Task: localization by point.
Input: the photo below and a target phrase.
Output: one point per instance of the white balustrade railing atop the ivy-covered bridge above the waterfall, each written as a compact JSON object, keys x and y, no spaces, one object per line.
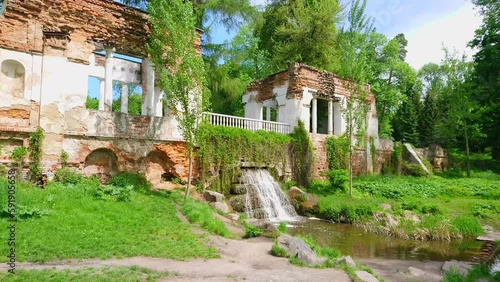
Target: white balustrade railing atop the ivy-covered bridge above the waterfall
{"x":246,"y":123}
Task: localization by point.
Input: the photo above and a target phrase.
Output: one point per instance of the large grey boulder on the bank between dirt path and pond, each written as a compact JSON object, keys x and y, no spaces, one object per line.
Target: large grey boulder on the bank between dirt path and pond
{"x":296,"y":247}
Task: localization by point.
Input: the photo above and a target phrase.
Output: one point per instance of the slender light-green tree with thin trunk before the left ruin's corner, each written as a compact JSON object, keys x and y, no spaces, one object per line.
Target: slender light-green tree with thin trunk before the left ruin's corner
{"x":178,"y":66}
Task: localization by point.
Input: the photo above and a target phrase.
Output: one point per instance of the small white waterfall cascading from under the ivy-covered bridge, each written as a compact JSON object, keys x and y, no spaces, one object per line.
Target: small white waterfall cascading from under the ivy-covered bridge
{"x":264,"y":198}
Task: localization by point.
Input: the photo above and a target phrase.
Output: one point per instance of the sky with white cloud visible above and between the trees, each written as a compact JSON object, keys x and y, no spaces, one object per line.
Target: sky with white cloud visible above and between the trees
{"x":427,"y":24}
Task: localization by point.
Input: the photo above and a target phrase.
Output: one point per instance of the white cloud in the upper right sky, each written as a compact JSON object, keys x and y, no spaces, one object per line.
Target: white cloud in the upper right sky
{"x":453,"y":30}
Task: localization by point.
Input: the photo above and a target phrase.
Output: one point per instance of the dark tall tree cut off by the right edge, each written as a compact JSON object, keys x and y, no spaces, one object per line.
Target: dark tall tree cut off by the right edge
{"x":486,"y":74}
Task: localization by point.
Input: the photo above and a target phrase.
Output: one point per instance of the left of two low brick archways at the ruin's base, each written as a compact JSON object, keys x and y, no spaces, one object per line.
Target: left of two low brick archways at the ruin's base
{"x":102,"y":163}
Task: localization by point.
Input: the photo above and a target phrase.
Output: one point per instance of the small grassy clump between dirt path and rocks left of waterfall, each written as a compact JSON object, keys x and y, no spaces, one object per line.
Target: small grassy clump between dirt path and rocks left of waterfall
{"x":202,"y":214}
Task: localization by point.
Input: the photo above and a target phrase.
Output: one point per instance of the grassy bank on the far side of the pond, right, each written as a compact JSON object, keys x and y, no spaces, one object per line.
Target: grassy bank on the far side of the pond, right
{"x":423,"y":208}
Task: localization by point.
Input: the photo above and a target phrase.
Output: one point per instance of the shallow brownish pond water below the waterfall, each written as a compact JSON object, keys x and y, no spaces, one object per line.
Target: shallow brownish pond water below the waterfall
{"x":357,"y":243}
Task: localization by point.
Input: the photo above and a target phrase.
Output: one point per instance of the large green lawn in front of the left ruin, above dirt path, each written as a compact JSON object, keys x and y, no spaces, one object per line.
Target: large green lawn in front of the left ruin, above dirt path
{"x":79,"y":226}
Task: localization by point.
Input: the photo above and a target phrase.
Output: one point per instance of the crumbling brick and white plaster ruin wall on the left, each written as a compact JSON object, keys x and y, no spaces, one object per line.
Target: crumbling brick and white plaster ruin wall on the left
{"x":46,"y":56}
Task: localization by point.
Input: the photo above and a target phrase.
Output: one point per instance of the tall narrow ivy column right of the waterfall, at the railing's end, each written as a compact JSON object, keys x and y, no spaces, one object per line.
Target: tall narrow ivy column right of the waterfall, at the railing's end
{"x":302,"y":151}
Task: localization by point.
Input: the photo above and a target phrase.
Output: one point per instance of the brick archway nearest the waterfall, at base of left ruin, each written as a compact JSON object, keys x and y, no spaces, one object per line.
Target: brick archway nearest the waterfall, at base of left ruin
{"x":157,"y":167}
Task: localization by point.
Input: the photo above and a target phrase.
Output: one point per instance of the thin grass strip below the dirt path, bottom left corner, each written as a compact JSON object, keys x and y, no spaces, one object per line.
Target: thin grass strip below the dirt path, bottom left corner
{"x":85,"y":274}
